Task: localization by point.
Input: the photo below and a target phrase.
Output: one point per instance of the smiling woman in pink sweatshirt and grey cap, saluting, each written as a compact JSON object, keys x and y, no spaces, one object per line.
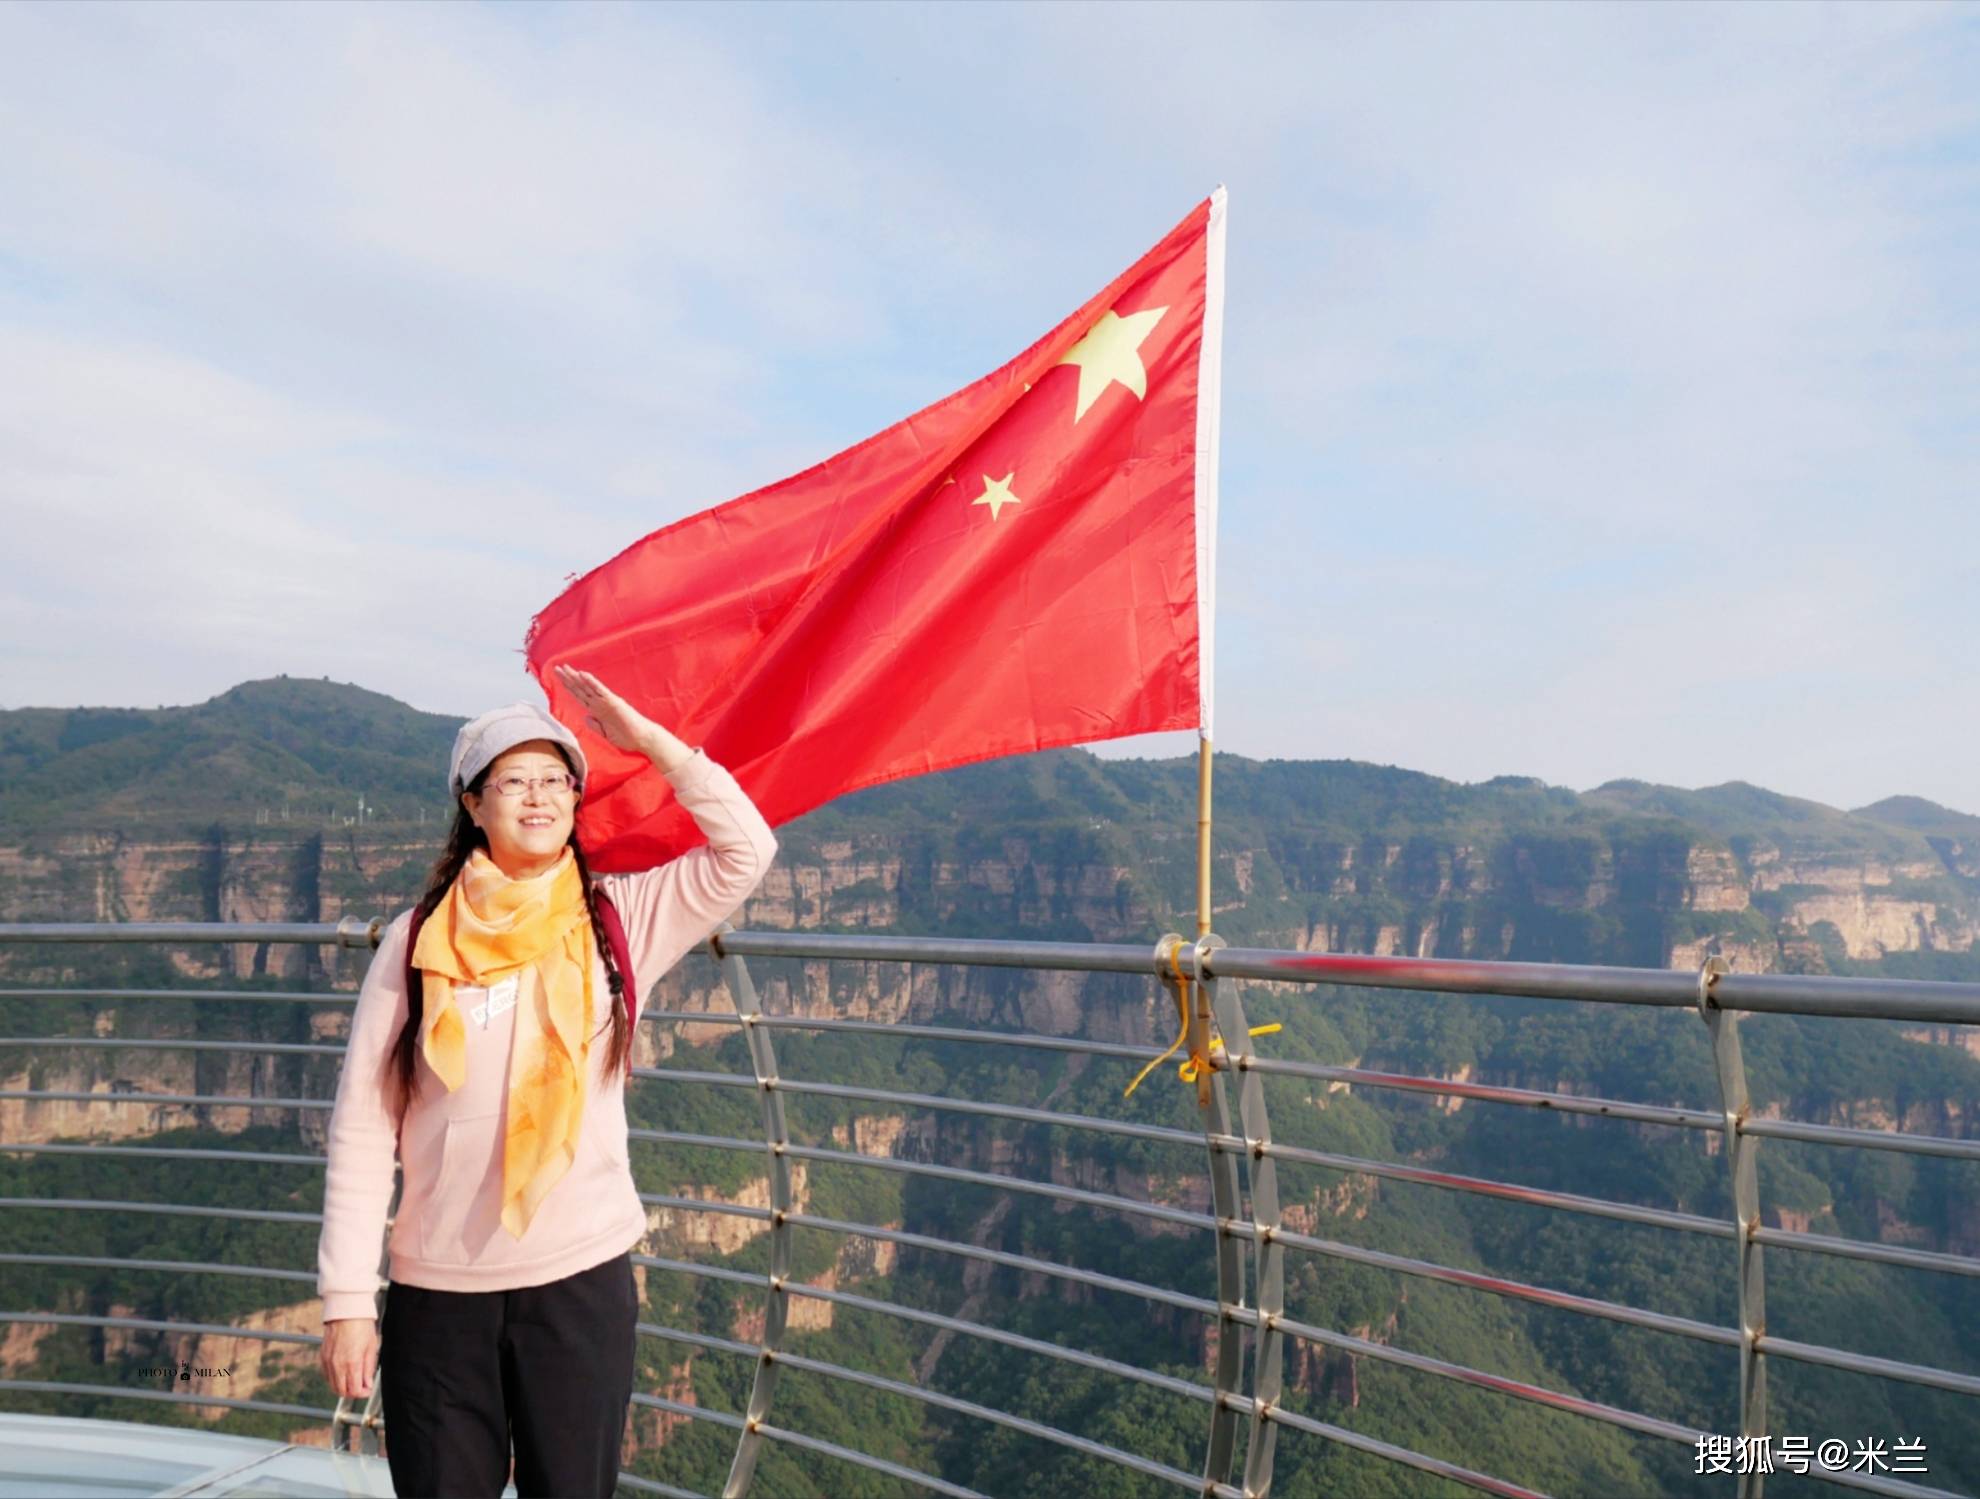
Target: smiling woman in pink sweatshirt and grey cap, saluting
{"x":510,"y":1308}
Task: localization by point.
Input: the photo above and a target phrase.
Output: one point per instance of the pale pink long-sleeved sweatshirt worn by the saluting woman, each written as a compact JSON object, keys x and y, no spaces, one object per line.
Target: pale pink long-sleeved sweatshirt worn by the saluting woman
{"x":448,"y":1231}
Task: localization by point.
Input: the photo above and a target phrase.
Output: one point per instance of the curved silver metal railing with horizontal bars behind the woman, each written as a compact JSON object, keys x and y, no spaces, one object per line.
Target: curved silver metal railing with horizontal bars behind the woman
{"x":1248,"y":1239}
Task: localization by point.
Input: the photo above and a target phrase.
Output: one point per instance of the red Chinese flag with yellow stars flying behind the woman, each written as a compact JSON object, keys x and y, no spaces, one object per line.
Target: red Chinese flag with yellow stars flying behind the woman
{"x":1023,"y":565}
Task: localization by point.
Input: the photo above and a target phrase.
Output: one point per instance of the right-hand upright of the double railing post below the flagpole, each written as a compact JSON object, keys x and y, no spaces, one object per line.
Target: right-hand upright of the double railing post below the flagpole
{"x":1268,"y":1264}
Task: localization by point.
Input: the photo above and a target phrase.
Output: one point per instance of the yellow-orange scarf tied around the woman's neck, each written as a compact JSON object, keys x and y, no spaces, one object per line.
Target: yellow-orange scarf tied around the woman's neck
{"x":540,"y":930}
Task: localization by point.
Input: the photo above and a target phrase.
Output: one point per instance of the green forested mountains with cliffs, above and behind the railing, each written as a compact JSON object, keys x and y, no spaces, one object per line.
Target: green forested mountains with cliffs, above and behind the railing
{"x":1324,"y":854}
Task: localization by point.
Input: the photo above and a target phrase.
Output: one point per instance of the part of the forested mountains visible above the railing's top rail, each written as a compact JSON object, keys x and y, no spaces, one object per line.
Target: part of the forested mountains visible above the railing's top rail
{"x":318,"y":801}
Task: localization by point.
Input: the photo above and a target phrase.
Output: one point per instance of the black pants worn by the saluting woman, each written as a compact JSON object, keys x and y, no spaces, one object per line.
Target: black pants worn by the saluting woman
{"x":549,"y":1365}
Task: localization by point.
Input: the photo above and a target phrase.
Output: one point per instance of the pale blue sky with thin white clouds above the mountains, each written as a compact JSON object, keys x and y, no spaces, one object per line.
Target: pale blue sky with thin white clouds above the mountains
{"x":1603,"y":385}
